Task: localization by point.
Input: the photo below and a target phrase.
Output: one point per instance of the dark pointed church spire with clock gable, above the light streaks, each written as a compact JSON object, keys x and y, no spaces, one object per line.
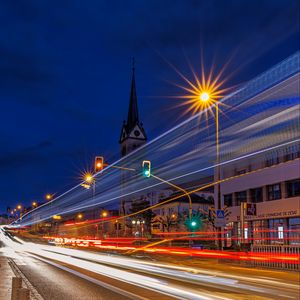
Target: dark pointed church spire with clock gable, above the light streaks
{"x":132,"y":134}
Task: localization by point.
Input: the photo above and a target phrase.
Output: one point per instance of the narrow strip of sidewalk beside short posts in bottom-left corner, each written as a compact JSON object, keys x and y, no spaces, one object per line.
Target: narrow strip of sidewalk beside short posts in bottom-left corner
{"x":6,"y":275}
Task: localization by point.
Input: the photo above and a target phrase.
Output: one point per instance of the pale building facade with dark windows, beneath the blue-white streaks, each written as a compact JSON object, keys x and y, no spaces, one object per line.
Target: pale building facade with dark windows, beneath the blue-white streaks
{"x":272,"y":184}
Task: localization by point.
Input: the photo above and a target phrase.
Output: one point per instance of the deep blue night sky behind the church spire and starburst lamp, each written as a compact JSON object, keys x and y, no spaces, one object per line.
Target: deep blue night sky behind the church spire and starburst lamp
{"x":65,"y":69}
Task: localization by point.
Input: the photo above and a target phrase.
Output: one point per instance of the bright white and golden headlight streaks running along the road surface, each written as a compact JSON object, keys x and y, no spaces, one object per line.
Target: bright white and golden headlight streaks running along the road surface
{"x":190,"y":282}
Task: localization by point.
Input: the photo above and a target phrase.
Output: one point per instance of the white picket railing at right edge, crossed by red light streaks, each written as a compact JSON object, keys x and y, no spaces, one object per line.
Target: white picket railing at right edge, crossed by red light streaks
{"x":271,"y":250}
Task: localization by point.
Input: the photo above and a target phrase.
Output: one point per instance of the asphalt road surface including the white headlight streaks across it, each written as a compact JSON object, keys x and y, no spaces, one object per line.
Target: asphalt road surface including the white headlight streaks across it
{"x":61,"y":273}
